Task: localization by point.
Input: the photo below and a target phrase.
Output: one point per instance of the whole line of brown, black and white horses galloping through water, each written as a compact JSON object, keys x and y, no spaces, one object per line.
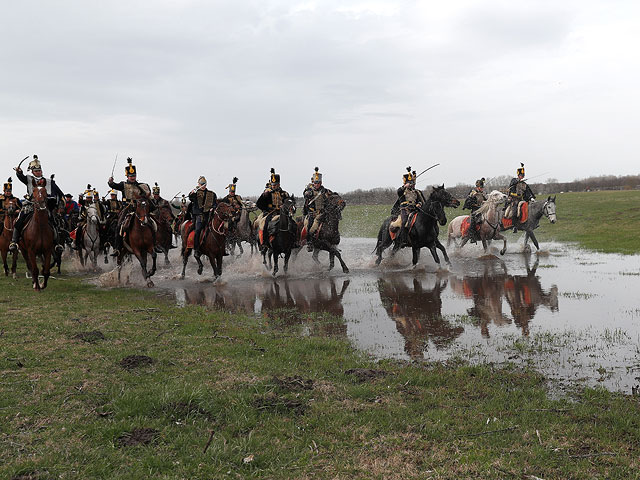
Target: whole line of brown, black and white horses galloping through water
{"x":148,"y":234}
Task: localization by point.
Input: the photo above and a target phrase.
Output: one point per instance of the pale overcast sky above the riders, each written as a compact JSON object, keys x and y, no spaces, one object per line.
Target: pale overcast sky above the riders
{"x":361,"y":89}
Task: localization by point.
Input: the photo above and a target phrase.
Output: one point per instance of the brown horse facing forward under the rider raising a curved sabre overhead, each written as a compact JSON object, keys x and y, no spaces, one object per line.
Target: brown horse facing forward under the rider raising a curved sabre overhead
{"x":38,"y":239}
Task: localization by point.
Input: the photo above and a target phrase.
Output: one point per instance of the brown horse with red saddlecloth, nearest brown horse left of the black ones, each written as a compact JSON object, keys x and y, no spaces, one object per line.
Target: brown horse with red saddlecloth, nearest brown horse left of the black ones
{"x":212,"y":240}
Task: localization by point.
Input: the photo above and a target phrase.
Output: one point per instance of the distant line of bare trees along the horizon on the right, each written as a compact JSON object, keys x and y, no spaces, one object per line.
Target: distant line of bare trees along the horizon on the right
{"x":387,"y":196}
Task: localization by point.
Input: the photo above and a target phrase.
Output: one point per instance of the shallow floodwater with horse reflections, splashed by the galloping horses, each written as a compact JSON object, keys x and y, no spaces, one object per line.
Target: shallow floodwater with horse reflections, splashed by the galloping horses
{"x":572,"y":314}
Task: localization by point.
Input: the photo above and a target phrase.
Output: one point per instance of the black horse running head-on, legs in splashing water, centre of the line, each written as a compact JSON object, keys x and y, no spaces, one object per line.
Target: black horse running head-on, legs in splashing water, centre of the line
{"x":281,"y":236}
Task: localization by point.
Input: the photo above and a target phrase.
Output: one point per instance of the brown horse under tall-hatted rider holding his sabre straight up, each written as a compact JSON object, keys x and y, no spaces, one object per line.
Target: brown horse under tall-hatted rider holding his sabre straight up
{"x":140,"y":239}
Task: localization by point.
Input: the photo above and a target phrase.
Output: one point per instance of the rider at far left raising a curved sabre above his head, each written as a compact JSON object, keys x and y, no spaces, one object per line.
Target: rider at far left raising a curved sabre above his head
{"x":54,"y":195}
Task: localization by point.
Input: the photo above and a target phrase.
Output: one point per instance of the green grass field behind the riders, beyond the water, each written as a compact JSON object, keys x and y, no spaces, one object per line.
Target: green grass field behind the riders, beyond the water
{"x":604,"y":221}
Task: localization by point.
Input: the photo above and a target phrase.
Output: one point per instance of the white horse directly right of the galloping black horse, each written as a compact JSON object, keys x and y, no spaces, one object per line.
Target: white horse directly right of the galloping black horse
{"x":491,"y":213}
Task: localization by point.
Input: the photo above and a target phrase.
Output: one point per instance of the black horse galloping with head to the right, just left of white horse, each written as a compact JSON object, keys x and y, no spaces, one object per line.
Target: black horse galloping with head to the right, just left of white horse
{"x":424,"y":230}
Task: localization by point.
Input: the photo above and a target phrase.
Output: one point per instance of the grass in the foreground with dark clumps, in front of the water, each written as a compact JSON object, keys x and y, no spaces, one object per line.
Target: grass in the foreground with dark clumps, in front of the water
{"x":123,"y":384}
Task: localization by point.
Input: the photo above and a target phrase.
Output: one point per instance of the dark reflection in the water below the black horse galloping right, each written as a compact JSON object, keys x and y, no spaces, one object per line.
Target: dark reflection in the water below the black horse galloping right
{"x":417,"y":313}
